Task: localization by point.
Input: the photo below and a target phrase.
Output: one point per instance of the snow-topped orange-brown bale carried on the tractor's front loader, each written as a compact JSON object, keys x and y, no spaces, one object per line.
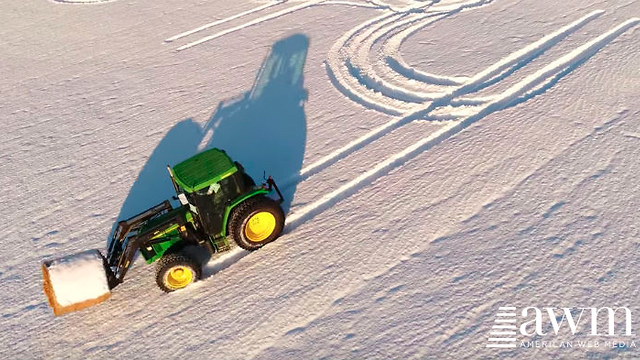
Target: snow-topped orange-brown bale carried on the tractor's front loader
{"x":75,"y":282}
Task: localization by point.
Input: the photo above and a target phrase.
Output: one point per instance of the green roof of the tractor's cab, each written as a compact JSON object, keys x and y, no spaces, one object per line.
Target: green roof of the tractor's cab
{"x":203,"y":170}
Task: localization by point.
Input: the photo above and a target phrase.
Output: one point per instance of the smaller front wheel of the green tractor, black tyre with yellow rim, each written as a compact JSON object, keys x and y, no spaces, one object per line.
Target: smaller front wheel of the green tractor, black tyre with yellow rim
{"x":174,"y":261}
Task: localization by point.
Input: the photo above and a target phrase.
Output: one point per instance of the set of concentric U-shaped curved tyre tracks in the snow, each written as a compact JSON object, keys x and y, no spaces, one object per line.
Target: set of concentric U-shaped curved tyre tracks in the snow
{"x":350,"y":67}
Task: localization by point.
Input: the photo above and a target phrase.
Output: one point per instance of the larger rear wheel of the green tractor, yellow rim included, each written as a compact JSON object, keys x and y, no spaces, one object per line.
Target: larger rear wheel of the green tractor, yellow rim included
{"x":256,"y":222}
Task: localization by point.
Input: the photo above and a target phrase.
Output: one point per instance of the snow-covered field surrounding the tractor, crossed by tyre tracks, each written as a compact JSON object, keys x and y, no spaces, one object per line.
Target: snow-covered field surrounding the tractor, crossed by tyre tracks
{"x":442,"y":161}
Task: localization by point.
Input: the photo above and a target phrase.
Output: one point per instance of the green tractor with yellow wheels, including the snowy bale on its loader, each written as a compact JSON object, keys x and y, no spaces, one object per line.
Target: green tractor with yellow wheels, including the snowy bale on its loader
{"x":219,"y":202}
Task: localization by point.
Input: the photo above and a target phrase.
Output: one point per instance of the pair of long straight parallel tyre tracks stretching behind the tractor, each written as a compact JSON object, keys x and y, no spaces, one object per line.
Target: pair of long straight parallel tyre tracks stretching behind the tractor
{"x":523,"y":90}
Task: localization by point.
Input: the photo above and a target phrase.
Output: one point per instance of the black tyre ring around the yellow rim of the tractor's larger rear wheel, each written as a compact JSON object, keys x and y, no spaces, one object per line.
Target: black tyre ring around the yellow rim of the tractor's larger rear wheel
{"x":243,"y":212}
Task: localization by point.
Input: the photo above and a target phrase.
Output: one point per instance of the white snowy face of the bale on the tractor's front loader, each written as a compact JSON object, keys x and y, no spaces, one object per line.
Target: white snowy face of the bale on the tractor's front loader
{"x":78,"y":277}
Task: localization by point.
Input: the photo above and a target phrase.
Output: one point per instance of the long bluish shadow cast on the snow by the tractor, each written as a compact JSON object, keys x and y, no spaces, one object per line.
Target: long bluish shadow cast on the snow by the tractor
{"x":264,"y":129}
